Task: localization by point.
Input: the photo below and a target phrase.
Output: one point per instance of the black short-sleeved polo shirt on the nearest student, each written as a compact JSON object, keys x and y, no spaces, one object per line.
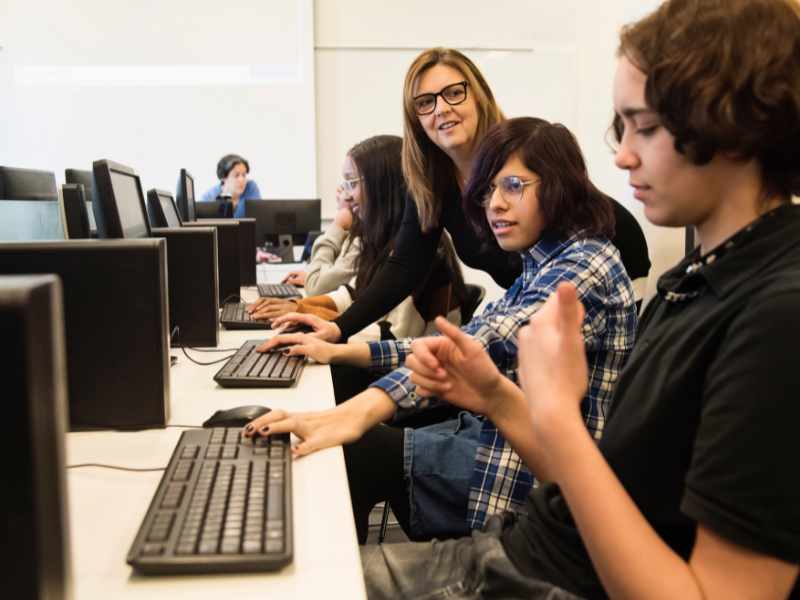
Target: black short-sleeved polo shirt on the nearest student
{"x":704,"y":424}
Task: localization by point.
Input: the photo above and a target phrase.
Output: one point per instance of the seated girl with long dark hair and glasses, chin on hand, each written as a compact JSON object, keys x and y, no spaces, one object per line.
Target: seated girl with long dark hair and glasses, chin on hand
{"x":377,"y":194}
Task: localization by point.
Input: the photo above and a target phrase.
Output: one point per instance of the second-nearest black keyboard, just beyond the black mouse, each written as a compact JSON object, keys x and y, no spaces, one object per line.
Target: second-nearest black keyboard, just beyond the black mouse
{"x":248,"y":368}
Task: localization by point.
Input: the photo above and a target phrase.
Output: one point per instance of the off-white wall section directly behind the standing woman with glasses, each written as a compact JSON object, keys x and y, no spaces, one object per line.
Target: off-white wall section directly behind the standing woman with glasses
{"x":549,"y":59}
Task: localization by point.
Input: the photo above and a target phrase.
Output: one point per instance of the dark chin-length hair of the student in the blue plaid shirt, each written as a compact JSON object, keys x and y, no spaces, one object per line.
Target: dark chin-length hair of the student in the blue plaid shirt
{"x":568,"y":201}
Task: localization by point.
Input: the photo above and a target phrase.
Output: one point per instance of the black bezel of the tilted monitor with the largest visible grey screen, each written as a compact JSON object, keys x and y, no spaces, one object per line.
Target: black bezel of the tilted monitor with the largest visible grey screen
{"x":106,"y":210}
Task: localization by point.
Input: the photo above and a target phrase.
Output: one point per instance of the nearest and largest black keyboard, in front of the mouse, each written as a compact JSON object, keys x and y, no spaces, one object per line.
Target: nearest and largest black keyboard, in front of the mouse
{"x":224,"y":505}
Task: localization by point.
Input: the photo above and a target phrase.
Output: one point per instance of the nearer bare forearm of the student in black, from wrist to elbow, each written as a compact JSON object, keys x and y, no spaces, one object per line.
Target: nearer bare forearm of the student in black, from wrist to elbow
{"x":627,"y":553}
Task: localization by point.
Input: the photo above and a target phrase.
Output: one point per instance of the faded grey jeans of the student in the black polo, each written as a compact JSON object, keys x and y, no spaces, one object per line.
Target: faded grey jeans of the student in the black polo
{"x":468,"y":568}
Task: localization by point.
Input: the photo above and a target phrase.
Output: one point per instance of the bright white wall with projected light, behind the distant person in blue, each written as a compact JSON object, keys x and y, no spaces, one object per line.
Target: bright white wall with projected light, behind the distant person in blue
{"x":160,"y":85}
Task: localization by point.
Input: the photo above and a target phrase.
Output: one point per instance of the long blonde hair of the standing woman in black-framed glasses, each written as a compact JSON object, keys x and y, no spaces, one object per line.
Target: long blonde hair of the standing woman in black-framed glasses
{"x":428,"y":171}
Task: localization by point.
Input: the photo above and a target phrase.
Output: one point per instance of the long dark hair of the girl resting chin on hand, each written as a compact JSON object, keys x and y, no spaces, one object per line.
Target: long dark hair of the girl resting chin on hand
{"x":383,"y":201}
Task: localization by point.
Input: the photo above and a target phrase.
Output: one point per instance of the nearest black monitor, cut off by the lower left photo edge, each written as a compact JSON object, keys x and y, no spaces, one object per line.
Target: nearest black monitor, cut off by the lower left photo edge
{"x":34,"y":499}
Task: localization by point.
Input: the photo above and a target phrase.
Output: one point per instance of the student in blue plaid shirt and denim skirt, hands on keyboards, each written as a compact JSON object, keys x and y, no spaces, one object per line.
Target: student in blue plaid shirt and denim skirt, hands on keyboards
{"x":531,"y":190}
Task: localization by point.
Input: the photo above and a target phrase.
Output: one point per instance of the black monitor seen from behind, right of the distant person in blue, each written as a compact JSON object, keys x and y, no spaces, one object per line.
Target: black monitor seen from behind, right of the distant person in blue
{"x":284,"y":217}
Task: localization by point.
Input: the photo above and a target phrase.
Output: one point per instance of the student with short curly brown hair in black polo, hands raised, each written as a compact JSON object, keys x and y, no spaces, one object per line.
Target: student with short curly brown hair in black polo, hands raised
{"x":693,"y":492}
